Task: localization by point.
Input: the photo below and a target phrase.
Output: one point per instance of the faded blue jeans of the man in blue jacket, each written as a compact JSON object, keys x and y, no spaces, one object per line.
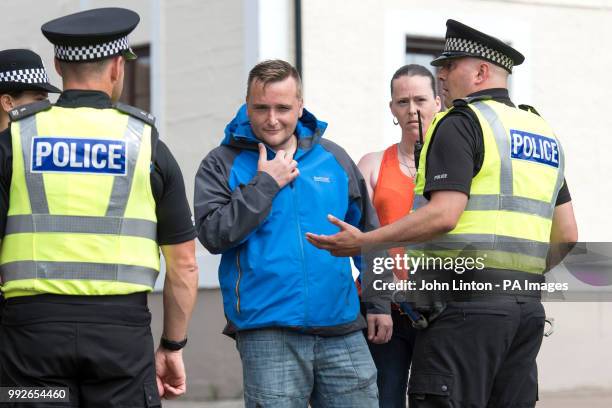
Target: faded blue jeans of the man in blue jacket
{"x":284,"y":368}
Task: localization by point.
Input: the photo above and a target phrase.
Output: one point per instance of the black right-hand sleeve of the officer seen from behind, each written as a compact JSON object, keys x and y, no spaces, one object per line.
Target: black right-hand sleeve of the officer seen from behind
{"x":174,"y":221}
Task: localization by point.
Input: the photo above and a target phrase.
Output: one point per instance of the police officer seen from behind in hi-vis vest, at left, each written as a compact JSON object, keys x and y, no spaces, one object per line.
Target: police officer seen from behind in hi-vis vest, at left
{"x":92,"y":196}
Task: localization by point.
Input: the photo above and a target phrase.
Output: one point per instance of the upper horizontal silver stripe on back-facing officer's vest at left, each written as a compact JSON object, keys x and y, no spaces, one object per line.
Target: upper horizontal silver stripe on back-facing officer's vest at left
{"x":80,"y":224}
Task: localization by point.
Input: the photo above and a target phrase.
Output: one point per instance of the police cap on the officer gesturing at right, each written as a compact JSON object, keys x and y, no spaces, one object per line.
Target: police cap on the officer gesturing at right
{"x":464,"y":41}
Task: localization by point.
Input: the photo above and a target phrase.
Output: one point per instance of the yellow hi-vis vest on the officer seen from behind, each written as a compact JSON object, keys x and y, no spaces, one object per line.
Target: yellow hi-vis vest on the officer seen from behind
{"x":81,"y":217}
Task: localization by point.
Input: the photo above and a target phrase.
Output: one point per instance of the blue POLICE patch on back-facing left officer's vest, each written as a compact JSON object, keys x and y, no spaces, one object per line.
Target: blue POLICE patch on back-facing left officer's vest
{"x":72,"y":155}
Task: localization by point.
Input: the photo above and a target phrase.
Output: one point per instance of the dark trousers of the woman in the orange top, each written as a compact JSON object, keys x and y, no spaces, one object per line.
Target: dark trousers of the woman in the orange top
{"x":392,"y":361}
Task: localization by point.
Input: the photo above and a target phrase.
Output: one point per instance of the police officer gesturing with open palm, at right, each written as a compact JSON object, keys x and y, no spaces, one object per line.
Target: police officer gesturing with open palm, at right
{"x":489,"y":183}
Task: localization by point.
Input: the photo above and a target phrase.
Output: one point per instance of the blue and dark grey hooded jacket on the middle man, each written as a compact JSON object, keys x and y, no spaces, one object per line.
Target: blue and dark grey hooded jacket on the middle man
{"x":270,"y":275}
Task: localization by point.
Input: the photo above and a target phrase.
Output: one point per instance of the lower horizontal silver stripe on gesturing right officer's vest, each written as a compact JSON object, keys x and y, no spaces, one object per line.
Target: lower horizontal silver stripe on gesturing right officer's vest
{"x":484,"y":242}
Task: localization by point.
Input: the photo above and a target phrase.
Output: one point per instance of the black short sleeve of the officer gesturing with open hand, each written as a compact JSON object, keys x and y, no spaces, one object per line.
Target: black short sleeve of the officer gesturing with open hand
{"x":454,"y":155}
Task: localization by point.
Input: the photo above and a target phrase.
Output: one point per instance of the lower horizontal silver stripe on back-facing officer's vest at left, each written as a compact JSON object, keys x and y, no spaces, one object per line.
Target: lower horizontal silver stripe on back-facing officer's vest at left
{"x":78,"y":271}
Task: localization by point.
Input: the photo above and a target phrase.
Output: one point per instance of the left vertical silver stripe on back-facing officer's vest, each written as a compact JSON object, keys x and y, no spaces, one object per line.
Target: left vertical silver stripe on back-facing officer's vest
{"x":34,"y":181}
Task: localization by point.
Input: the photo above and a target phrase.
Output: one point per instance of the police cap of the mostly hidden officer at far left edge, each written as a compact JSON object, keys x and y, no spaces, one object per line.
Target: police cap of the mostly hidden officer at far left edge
{"x":23,"y":70}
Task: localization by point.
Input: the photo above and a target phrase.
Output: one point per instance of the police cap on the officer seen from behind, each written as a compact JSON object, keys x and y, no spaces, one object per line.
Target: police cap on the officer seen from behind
{"x":92,"y":35}
